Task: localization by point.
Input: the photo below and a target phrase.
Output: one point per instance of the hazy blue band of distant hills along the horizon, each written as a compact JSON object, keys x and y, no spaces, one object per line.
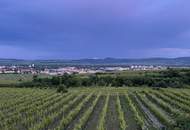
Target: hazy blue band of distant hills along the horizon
{"x":179,"y":61}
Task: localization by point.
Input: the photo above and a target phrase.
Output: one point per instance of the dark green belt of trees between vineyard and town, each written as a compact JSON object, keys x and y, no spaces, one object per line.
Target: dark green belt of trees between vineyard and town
{"x":169,"y":78}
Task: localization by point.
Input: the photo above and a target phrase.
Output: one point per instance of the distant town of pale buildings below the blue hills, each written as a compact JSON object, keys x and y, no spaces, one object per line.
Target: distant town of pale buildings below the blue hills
{"x":32,"y":69}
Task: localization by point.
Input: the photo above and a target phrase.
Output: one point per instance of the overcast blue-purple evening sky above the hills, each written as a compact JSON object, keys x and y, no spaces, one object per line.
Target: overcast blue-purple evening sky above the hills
{"x":73,"y":29}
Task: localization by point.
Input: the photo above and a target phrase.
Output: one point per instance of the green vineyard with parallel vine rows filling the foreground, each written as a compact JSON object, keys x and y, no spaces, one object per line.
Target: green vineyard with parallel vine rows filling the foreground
{"x":94,"y":109}
